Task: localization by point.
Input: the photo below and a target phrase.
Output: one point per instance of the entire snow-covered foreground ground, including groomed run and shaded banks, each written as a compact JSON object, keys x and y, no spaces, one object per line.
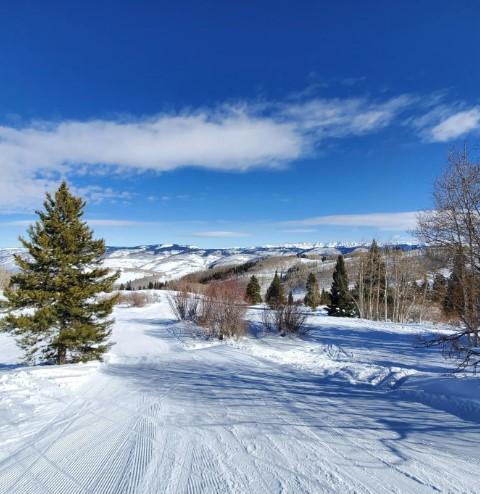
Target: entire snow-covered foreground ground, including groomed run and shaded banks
{"x":353,"y":406}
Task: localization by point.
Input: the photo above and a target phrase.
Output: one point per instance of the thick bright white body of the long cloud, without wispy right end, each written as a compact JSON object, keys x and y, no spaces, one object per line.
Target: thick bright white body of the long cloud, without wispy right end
{"x":225,"y":140}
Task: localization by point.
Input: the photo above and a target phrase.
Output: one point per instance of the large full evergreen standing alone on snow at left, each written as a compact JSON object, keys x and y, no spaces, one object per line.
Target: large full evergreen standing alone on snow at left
{"x":53,"y":308}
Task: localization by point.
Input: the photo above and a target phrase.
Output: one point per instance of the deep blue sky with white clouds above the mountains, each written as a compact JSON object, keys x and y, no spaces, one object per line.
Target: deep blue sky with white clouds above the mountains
{"x":234,"y":123}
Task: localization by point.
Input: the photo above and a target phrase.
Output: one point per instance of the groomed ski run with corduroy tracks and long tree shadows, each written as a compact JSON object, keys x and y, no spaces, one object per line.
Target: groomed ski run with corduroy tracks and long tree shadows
{"x":219,"y":420}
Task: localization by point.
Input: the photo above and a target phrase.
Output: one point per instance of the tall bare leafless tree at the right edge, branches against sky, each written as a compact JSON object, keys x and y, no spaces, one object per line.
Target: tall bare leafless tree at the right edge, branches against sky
{"x":453,"y":226}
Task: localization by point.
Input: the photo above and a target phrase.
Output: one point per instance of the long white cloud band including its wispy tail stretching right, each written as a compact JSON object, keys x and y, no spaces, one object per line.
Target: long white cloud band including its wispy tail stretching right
{"x":35,"y":157}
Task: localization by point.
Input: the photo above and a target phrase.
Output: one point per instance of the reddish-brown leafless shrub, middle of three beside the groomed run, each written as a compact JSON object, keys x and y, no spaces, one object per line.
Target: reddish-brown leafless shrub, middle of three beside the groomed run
{"x":223,"y":310}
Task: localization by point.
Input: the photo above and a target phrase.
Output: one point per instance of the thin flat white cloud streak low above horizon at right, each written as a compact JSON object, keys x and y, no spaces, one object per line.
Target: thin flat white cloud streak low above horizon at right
{"x":383,"y":221}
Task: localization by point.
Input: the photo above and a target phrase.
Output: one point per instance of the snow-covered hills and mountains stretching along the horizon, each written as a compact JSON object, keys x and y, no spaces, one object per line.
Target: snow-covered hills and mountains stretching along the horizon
{"x":170,"y":261}
